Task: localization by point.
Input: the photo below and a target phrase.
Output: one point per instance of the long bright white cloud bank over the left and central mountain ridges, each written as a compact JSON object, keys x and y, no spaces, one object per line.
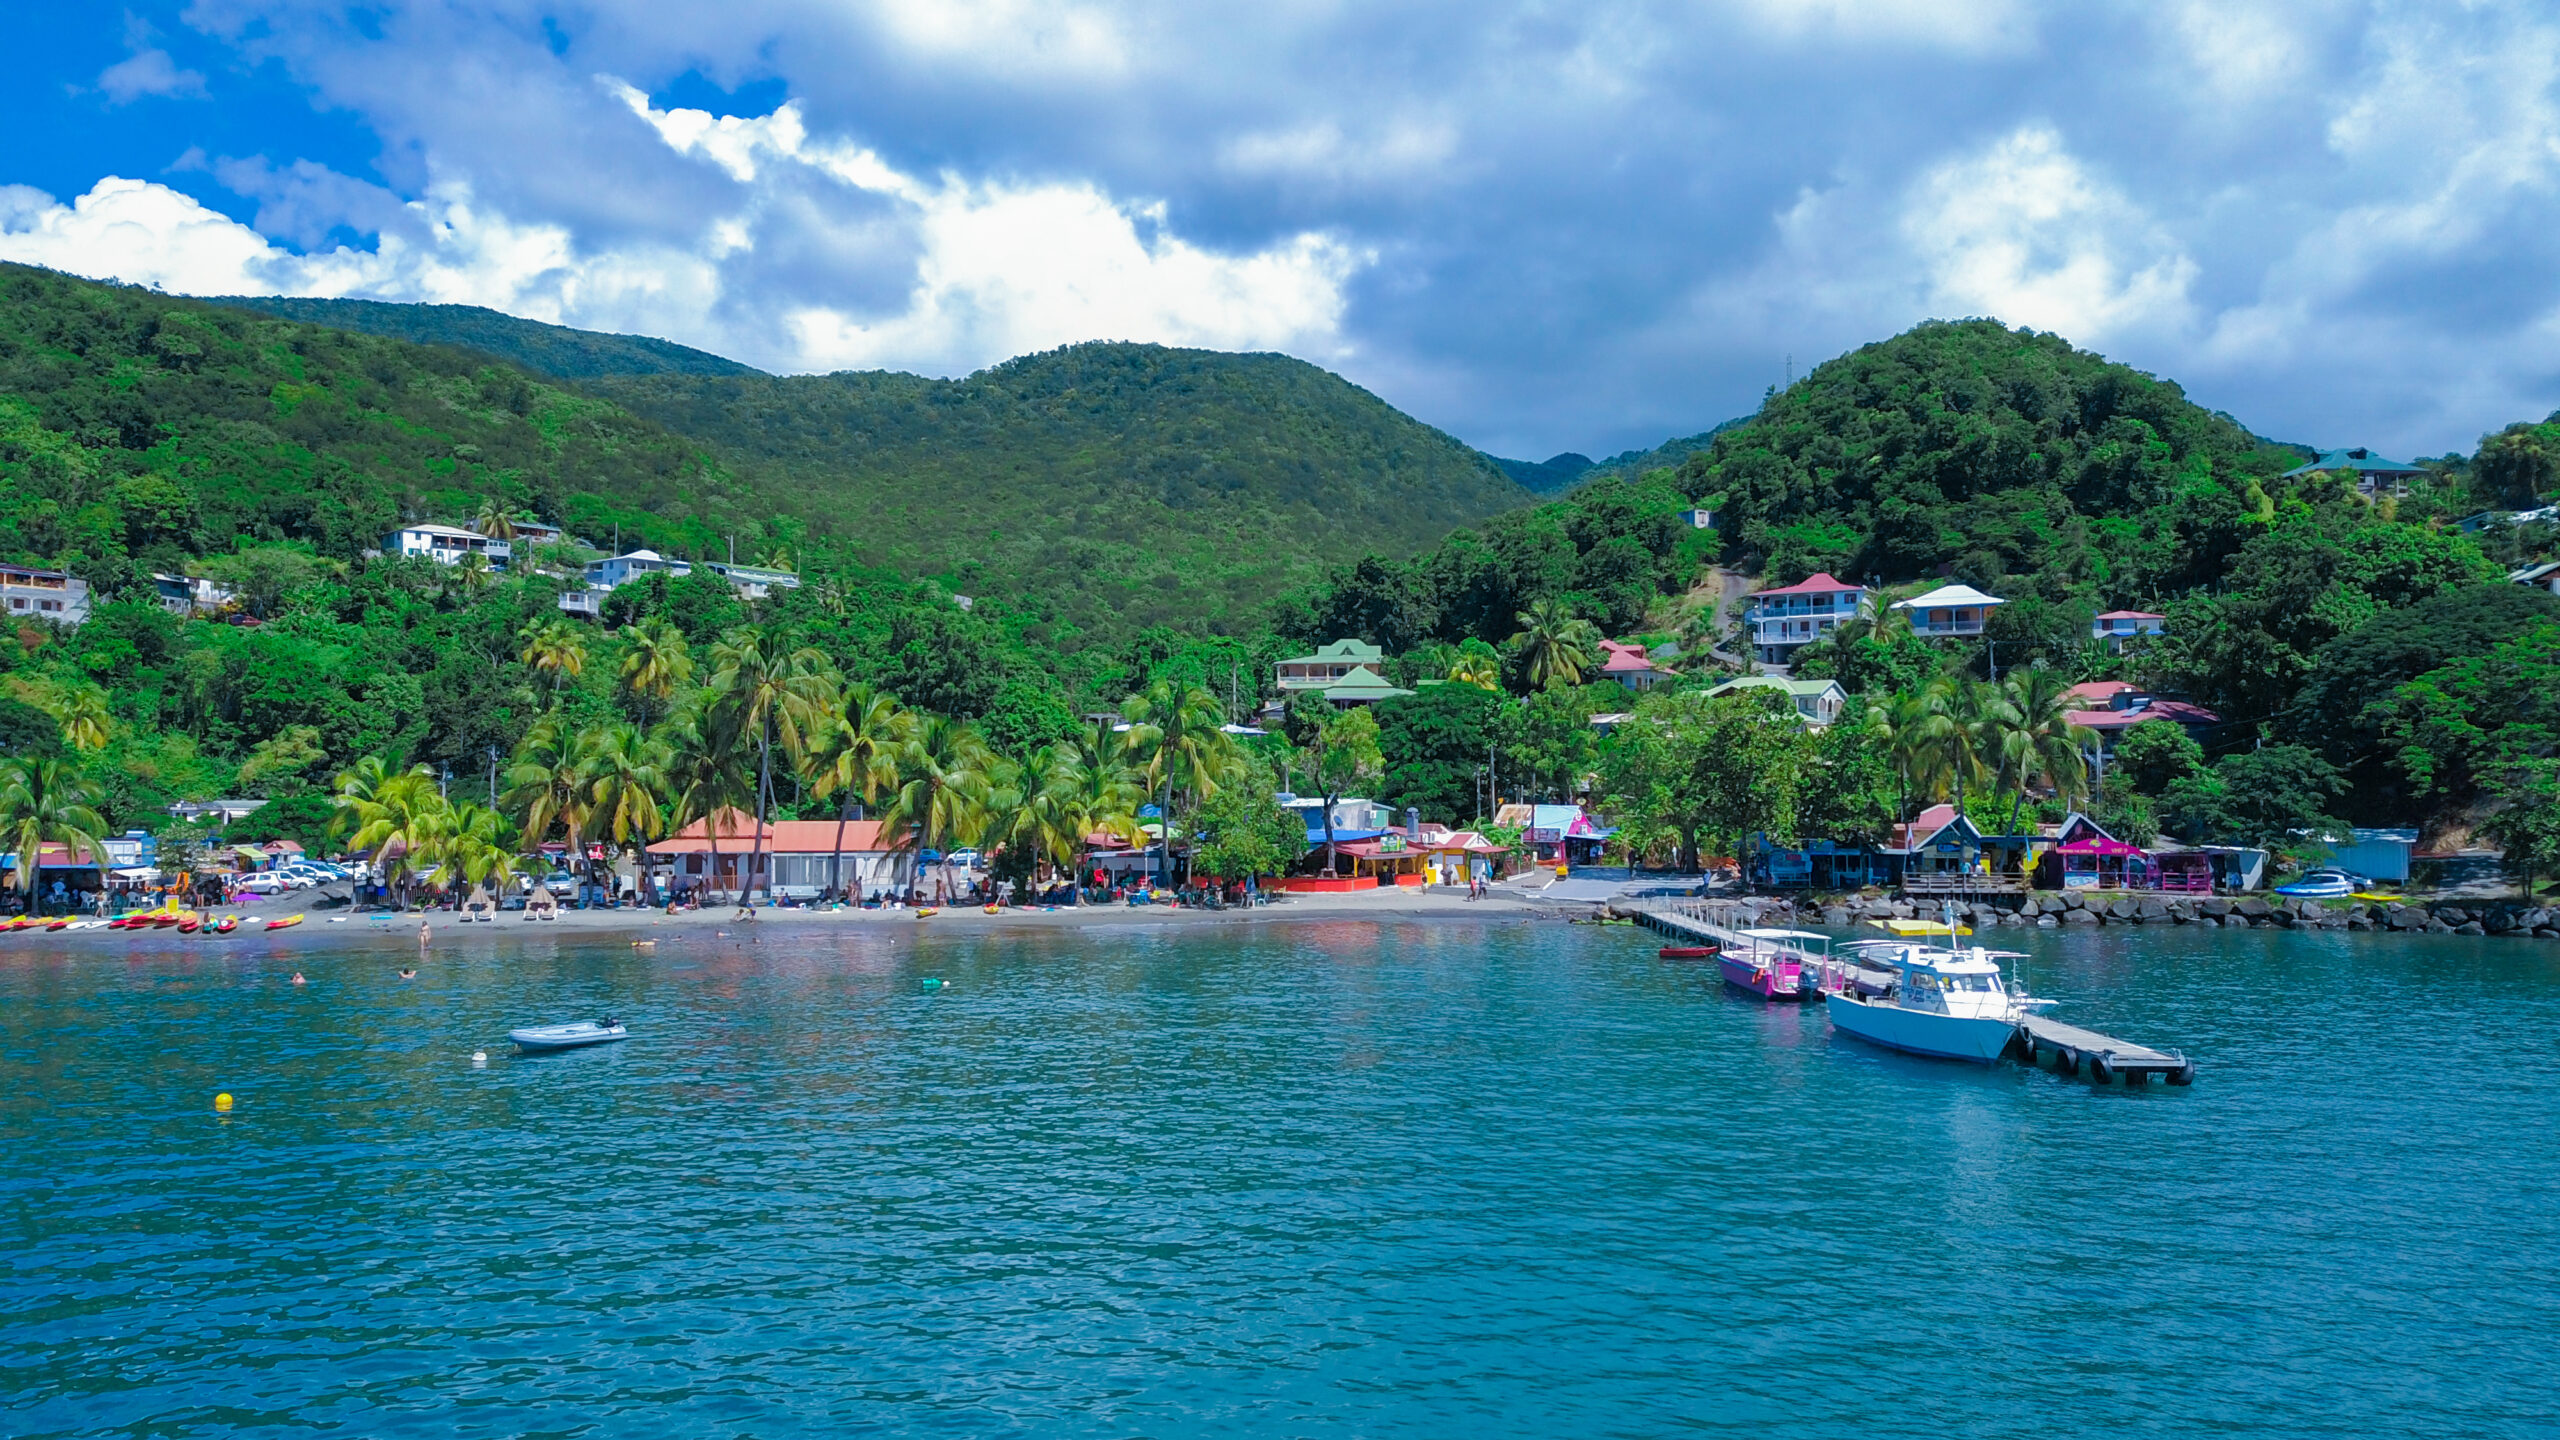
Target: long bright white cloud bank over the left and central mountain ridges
{"x":982,"y":270}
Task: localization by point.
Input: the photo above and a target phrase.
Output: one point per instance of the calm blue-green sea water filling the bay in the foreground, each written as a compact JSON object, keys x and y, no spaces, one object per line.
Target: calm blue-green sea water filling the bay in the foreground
{"x":1309,"y":1180}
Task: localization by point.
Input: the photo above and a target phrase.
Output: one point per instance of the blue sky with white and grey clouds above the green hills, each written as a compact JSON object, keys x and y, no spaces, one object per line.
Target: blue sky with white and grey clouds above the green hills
{"x":1540,"y":227}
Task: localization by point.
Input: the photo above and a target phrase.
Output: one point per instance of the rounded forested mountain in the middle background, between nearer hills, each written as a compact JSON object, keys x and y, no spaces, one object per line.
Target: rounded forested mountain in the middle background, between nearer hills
{"x":1120,"y":483}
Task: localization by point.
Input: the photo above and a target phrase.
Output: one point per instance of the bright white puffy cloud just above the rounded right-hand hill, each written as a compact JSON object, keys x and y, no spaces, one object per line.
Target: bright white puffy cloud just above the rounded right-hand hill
{"x":2024,"y":232}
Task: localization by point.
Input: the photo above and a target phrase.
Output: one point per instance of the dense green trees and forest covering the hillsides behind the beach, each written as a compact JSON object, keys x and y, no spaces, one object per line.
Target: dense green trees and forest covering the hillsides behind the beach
{"x":1133,"y":519}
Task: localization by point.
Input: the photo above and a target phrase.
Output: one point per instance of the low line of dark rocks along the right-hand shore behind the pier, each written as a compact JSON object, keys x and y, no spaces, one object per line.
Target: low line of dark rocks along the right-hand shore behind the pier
{"x":2252,"y":911}
